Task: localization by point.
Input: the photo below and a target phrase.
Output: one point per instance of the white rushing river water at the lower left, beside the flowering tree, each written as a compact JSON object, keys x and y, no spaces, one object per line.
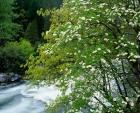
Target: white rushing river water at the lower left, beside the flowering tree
{"x":24,"y":99}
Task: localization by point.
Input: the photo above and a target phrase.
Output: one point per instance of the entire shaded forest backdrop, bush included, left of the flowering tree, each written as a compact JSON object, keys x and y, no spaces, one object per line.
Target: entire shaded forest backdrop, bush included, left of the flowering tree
{"x":20,"y":31}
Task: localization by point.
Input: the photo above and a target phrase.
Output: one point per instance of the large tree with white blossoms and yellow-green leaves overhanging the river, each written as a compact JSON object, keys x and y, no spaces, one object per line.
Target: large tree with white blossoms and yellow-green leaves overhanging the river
{"x":93,"y":48}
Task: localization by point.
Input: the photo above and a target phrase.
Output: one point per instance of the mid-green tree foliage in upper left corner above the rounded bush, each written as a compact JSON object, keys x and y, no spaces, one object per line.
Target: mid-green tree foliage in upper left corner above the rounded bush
{"x":7,"y":27}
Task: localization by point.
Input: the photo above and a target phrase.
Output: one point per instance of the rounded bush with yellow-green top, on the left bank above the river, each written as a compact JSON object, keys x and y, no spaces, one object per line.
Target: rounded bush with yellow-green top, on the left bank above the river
{"x":13,"y":54}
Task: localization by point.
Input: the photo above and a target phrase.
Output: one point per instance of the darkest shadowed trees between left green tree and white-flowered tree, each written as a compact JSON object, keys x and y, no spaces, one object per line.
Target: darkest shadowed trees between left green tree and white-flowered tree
{"x":33,"y":24}
